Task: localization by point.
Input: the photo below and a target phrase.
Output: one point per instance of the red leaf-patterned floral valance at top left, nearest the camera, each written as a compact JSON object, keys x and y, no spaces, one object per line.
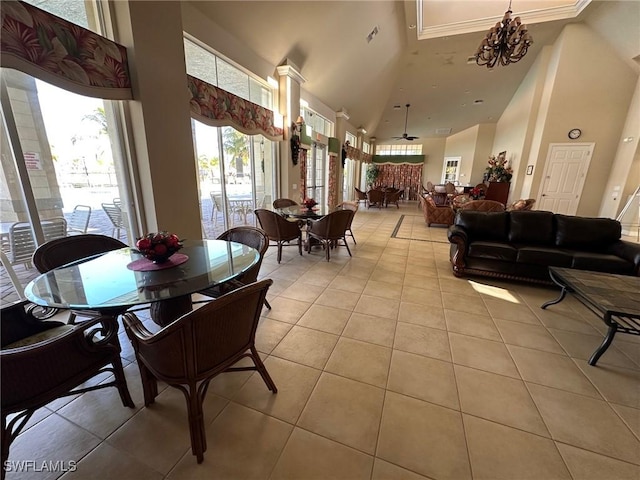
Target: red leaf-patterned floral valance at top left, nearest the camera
{"x":62,"y":53}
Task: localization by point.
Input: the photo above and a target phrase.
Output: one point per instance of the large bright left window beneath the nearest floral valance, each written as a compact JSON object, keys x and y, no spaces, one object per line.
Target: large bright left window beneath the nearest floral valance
{"x":71,"y":155}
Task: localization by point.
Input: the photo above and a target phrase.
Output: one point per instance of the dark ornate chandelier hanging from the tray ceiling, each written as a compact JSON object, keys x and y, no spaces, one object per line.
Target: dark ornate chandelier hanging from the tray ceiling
{"x":505,"y":43}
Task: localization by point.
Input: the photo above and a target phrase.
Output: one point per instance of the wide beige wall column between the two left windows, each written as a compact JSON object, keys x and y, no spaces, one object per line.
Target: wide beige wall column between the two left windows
{"x":163,"y":145}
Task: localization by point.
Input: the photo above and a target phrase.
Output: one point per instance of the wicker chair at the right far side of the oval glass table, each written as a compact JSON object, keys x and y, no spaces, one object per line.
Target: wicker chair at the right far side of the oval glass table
{"x":252,"y":237}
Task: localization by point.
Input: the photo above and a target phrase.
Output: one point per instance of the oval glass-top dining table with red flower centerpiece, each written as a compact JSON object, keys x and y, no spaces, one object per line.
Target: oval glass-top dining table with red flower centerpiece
{"x":107,"y":282}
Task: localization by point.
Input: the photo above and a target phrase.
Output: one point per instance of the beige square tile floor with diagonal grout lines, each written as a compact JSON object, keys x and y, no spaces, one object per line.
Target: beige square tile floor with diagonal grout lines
{"x":388,"y":367}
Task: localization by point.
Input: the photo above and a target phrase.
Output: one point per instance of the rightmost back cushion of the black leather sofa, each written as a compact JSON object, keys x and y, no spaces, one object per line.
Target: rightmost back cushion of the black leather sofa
{"x":586,"y":233}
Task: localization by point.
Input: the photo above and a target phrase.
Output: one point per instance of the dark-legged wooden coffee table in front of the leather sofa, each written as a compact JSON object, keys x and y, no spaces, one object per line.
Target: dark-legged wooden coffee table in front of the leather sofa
{"x":614,"y":298}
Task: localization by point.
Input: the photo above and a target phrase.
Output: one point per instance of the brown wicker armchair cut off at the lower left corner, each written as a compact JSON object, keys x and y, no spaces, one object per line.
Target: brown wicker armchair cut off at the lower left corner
{"x":42,"y":361}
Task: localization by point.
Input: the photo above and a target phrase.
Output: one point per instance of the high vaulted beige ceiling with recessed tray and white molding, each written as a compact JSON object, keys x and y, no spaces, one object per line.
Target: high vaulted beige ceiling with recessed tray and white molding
{"x":328,"y":41}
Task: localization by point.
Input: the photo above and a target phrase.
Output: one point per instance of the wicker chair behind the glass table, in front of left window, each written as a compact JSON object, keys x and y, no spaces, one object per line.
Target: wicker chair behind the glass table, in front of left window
{"x":61,"y":251}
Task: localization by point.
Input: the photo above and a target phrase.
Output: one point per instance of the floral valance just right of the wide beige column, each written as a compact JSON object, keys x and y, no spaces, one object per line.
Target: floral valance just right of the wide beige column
{"x":218,"y":108}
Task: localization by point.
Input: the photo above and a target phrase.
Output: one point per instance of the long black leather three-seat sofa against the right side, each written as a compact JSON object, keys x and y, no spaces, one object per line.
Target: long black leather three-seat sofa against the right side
{"x":521,"y":245}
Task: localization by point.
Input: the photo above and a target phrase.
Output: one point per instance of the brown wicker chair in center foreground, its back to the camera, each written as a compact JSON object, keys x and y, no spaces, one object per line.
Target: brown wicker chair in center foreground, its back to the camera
{"x":188,"y":353}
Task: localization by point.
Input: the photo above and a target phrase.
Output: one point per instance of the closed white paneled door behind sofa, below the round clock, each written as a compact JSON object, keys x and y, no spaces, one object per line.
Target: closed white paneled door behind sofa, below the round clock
{"x":564,"y":175}
